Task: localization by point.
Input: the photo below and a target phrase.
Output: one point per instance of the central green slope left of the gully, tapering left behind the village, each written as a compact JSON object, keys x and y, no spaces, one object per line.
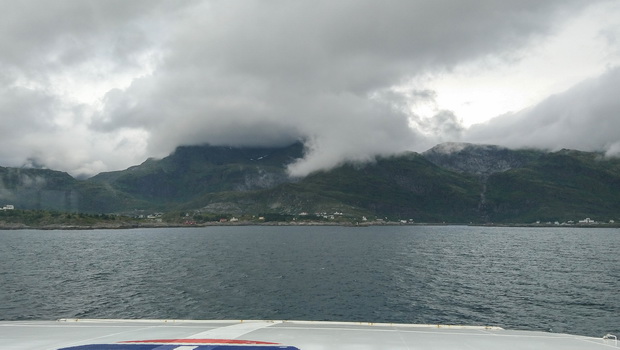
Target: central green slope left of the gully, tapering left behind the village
{"x":401,"y":187}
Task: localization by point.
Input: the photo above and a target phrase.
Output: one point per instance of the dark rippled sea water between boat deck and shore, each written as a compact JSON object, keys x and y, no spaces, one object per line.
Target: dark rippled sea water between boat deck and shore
{"x":553,"y":279}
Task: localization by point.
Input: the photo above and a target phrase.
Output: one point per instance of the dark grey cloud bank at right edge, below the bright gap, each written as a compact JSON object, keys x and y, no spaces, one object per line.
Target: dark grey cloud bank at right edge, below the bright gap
{"x":586,"y":117}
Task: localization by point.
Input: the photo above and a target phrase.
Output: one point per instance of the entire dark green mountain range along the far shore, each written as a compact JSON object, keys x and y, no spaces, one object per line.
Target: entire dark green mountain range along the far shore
{"x":452,"y":182}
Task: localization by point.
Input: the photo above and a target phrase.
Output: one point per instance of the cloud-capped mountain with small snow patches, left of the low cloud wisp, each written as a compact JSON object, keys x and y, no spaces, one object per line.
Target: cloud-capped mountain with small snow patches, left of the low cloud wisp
{"x":193,"y":171}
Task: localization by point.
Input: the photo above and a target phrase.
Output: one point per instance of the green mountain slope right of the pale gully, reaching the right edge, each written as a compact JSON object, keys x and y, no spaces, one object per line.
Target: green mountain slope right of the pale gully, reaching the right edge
{"x":559,"y":186}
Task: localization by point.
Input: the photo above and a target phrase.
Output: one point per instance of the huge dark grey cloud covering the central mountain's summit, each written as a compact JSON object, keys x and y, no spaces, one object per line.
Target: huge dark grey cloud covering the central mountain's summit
{"x":260,"y":73}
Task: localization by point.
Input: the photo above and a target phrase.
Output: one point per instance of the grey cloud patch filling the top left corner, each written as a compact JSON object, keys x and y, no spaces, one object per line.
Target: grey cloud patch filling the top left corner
{"x":42,"y":35}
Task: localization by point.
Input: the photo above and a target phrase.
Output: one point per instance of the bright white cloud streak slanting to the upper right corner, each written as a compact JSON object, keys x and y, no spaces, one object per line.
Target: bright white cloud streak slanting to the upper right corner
{"x":582,"y":47}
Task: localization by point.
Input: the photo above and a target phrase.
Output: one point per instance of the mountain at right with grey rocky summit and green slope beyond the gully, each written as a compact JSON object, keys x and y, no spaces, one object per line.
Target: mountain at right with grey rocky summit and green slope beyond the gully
{"x":533,"y":185}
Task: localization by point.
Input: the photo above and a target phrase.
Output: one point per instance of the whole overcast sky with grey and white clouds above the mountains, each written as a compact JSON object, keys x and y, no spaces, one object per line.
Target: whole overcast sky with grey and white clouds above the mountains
{"x":90,"y":86}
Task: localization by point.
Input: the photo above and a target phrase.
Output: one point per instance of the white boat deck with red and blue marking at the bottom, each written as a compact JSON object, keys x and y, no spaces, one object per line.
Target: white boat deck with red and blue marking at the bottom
{"x":303,"y":335}
